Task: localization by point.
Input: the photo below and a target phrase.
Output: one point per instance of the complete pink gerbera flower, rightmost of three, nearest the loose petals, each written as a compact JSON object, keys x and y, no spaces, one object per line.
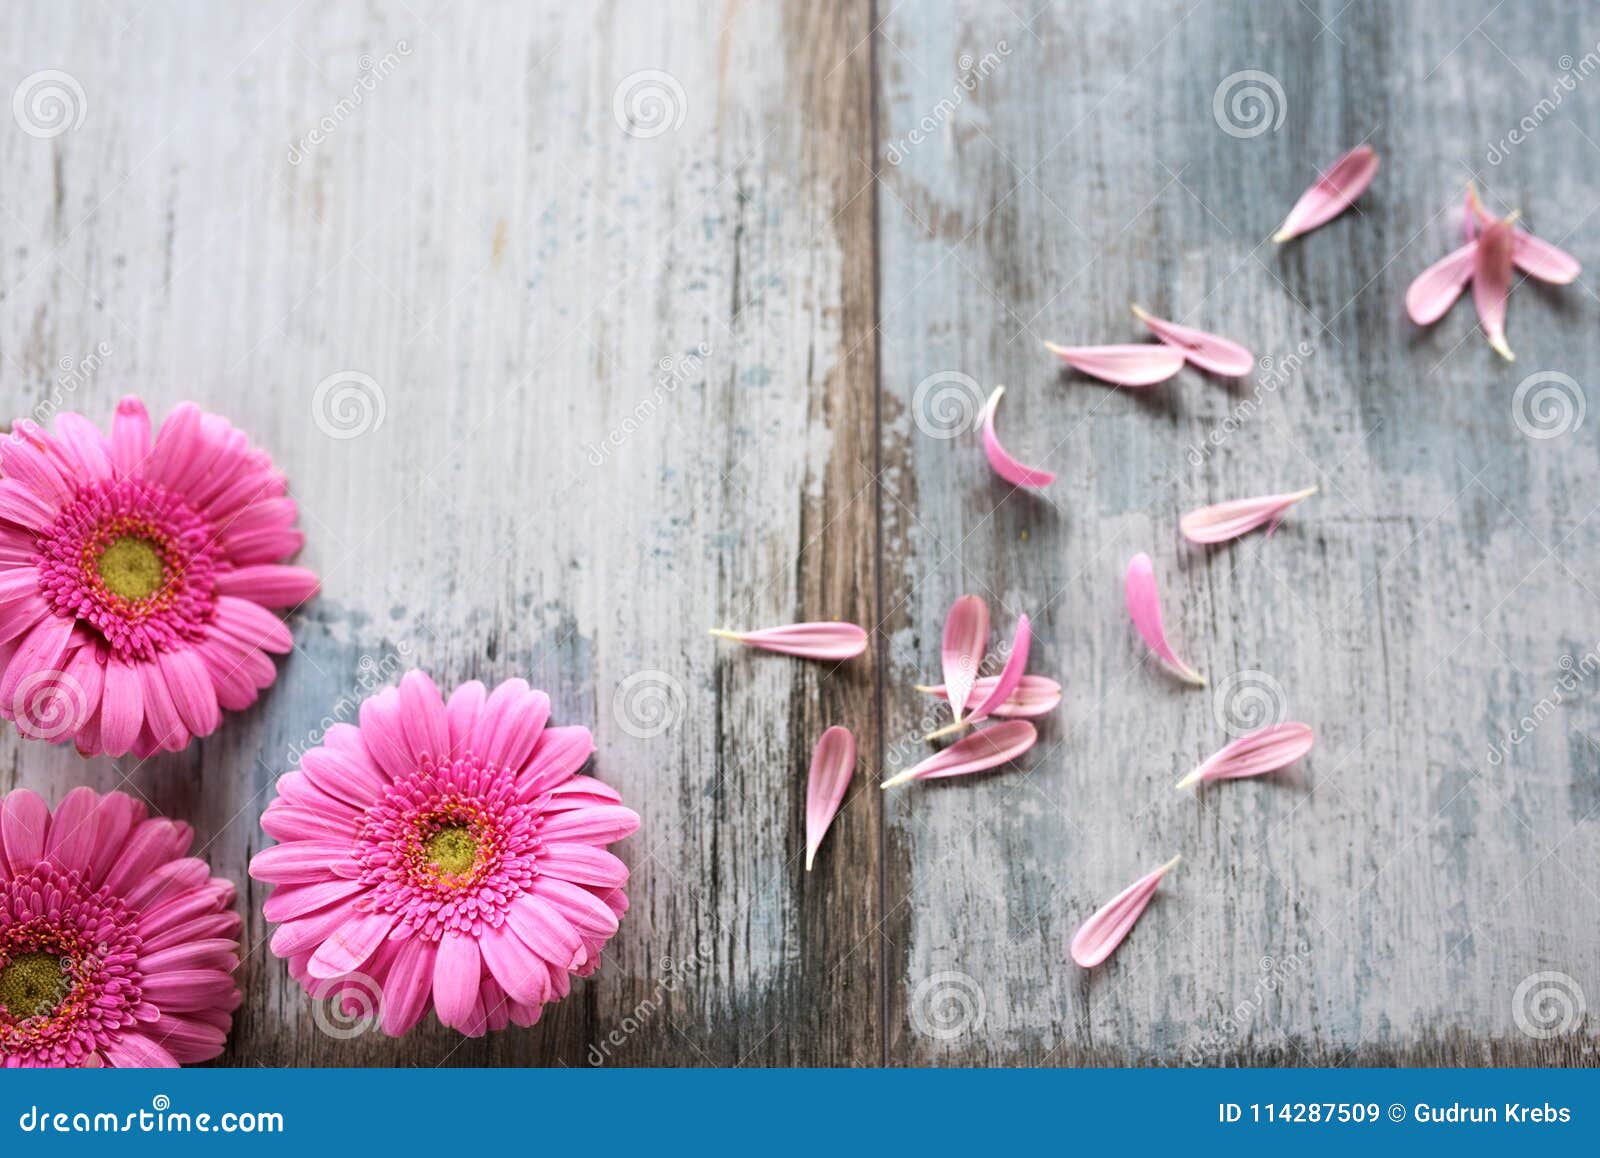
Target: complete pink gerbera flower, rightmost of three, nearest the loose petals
{"x":447,"y":857}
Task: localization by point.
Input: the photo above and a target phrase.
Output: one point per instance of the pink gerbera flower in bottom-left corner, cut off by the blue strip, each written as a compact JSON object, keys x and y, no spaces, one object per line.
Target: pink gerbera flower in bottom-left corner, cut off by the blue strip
{"x":116,"y":949}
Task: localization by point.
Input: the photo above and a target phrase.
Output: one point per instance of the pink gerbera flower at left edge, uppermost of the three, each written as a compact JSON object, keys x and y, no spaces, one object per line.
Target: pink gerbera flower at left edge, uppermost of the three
{"x":137,"y":575}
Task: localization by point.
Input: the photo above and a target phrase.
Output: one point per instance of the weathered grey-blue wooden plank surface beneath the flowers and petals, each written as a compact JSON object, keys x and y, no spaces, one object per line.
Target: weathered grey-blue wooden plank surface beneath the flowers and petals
{"x":642,"y":378}
